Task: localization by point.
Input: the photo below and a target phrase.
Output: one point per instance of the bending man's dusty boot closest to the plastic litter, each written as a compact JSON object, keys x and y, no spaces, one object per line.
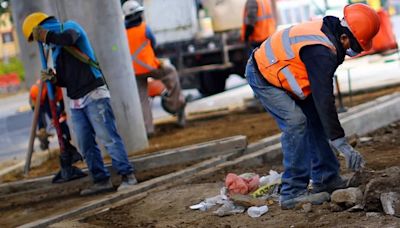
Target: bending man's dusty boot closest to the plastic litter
{"x":315,"y":199}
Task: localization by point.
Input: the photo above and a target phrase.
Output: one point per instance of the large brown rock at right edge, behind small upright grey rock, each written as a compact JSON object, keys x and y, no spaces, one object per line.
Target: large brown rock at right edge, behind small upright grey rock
{"x":385,"y":181}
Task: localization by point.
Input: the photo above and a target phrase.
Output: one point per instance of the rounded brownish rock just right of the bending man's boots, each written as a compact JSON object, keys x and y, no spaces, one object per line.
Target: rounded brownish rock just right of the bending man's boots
{"x":347,"y":197}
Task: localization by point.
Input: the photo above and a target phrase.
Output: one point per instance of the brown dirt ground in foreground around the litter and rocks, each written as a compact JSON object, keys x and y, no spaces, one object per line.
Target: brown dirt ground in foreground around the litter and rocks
{"x":170,"y":208}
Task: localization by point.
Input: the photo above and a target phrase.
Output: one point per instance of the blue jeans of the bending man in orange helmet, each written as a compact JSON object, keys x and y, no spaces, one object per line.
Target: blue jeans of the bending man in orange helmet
{"x":306,"y":150}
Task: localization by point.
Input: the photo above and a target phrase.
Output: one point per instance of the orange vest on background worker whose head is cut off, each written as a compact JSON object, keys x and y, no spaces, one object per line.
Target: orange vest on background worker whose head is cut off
{"x":265,"y":25}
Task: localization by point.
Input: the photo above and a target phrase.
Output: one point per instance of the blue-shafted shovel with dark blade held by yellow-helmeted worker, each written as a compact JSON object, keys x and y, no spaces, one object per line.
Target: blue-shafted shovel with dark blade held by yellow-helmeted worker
{"x":67,"y":172}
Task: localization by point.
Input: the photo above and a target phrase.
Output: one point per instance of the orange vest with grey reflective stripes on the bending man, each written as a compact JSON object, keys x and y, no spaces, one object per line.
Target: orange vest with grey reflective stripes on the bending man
{"x":278,"y":58}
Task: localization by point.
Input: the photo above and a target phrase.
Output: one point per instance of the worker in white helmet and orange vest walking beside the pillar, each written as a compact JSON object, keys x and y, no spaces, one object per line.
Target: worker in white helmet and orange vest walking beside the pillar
{"x":145,"y":63}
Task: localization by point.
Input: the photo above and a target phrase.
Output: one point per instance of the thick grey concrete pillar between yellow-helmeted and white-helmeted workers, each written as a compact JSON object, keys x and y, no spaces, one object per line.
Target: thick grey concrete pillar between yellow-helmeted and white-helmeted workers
{"x":102,"y":20}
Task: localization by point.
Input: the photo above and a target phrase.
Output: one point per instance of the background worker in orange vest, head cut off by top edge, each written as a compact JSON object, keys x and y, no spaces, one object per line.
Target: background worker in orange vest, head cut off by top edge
{"x":258,"y":22}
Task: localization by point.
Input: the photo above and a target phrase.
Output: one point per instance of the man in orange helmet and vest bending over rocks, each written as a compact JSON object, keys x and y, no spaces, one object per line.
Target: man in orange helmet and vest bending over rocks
{"x":291,"y":74}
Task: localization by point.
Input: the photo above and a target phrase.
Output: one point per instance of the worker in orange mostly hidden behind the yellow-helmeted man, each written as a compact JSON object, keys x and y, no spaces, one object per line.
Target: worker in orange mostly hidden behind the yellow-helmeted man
{"x":44,"y":110}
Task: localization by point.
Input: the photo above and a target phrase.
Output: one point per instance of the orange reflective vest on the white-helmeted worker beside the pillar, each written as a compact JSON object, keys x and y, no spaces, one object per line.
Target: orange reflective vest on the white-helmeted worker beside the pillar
{"x":142,"y":54}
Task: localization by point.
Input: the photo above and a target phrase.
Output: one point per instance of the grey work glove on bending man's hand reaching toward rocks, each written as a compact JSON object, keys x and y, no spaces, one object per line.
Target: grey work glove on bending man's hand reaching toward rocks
{"x":354,"y":159}
